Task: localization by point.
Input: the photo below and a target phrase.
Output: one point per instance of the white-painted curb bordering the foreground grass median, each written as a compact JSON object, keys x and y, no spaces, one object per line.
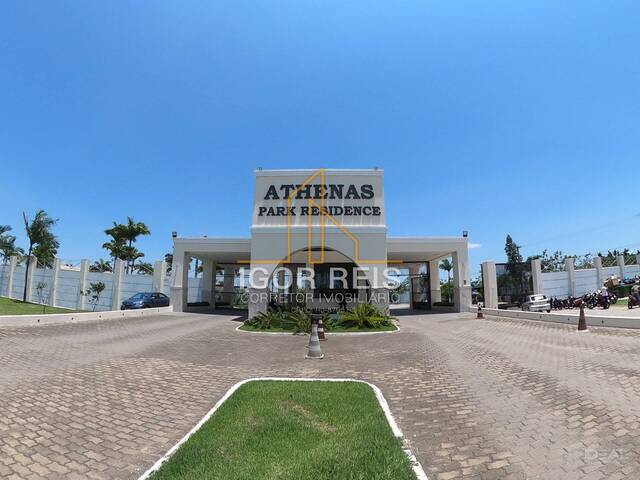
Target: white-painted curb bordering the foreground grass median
{"x":395,"y":429}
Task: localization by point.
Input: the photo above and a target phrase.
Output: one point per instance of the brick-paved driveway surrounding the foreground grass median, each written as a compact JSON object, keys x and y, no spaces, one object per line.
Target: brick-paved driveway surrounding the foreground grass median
{"x":477,"y":398}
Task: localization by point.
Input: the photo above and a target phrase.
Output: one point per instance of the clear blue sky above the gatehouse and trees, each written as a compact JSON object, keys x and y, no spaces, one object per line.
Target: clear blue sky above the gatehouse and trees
{"x":495,"y":117}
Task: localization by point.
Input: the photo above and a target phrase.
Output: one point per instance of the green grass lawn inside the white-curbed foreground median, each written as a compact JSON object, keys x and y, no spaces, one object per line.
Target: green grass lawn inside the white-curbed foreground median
{"x":293,"y":430}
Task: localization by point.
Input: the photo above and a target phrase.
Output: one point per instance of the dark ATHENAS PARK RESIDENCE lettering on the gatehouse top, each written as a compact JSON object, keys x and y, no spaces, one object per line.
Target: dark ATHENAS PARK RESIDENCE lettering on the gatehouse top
{"x":318,"y":193}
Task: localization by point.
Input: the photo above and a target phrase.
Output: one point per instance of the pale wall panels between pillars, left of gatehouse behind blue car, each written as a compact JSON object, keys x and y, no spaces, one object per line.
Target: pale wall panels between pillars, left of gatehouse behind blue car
{"x":69,"y":286}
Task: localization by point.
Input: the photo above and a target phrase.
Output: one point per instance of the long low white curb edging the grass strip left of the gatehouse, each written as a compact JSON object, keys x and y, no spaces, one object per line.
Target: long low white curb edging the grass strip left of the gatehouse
{"x":62,"y":318}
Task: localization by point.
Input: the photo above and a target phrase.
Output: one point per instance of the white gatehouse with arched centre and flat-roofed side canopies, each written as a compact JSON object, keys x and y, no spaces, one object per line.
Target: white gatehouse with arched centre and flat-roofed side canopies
{"x":308,"y":222}
